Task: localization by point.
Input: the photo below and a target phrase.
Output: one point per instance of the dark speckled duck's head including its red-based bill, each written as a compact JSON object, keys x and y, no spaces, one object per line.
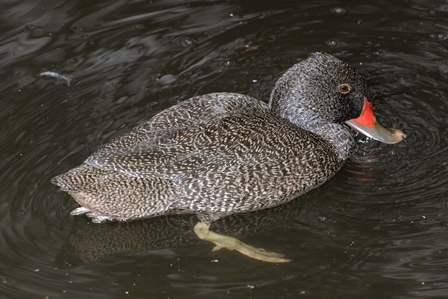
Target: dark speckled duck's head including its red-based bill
{"x":324,"y":90}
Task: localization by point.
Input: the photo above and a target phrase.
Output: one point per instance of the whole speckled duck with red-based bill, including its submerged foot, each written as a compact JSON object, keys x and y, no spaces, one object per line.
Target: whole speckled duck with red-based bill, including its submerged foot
{"x":224,"y":153}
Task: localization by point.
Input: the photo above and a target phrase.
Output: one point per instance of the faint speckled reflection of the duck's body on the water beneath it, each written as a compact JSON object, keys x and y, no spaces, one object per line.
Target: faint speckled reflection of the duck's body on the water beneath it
{"x":89,"y":241}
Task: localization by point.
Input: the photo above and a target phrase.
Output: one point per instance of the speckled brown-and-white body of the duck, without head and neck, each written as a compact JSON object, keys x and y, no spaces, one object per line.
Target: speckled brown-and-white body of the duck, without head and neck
{"x":219,"y":154}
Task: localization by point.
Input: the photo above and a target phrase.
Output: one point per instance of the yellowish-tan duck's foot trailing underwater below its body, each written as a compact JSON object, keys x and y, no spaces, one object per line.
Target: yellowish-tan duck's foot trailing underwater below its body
{"x":202,"y":230}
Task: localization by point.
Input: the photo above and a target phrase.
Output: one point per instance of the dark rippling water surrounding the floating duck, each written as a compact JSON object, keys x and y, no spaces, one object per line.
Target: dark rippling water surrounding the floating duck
{"x":376,"y":230}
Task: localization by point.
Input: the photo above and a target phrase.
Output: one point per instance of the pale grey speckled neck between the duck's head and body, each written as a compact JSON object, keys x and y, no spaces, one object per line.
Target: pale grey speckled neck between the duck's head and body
{"x":338,"y":135}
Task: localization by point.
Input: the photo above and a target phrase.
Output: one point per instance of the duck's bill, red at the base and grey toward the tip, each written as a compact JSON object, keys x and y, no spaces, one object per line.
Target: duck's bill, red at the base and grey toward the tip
{"x":366,"y":124}
